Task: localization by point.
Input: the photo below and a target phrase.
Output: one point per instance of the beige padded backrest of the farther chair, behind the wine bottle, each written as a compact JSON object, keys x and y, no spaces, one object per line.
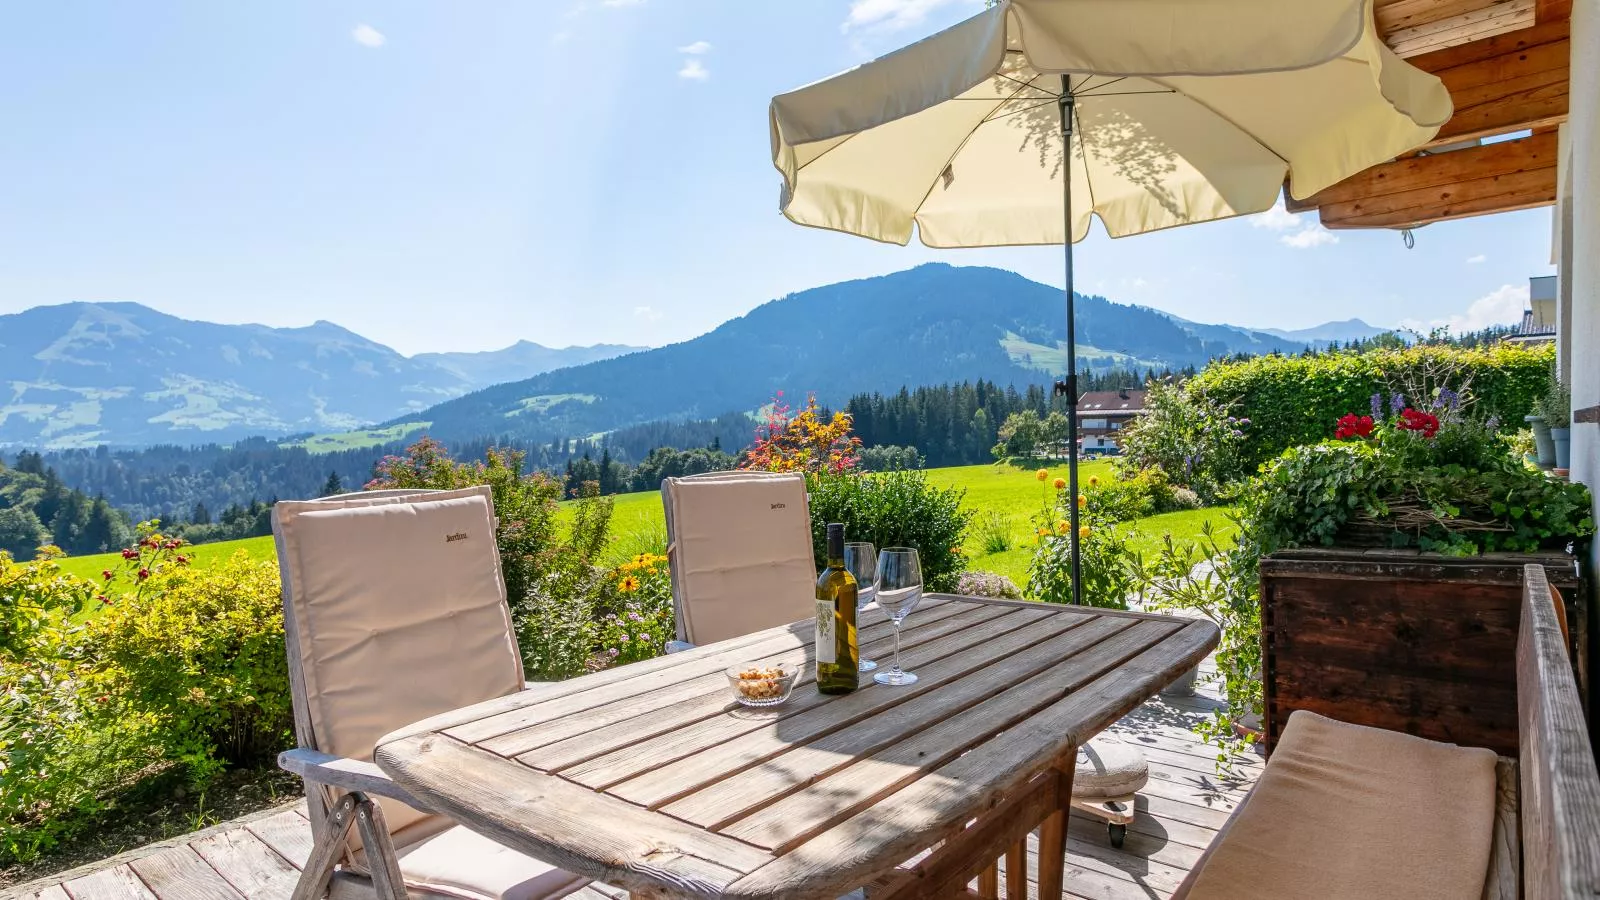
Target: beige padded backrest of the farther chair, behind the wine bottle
{"x":740,"y":548}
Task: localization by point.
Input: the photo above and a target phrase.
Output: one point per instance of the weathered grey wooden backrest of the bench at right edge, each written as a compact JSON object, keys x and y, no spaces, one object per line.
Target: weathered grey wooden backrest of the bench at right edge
{"x":1556,"y":763}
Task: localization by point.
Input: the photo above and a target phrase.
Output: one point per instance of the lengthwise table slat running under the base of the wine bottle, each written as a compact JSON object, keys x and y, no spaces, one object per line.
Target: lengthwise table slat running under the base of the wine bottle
{"x":618,"y":766}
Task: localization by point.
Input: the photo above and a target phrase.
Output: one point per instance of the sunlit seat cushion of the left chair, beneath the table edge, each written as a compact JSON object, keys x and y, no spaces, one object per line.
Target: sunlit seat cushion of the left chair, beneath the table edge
{"x":465,"y":864}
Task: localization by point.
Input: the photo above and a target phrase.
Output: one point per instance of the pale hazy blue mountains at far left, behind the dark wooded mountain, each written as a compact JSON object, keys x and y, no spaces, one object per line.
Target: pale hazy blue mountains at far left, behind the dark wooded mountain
{"x":84,"y":374}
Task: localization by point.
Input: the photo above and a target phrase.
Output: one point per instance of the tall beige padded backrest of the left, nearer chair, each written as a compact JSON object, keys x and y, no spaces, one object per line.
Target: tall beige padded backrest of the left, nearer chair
{"x":394,"y":611}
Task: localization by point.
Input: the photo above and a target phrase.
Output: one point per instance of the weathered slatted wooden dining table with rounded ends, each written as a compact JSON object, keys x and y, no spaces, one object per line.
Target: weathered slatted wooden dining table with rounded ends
{"x":650,"y":777}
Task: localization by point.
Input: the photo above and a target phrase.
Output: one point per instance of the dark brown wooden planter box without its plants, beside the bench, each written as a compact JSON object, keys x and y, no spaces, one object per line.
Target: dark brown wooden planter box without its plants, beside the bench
{"x":1406,"y":641}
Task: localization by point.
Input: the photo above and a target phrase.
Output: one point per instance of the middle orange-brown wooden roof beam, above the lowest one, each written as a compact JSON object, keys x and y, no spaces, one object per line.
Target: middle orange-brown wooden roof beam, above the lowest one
{"x":1524,"y":86}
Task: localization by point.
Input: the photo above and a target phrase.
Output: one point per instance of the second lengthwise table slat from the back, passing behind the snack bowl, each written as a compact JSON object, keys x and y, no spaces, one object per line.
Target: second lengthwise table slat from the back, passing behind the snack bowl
{"x":662,"y":704}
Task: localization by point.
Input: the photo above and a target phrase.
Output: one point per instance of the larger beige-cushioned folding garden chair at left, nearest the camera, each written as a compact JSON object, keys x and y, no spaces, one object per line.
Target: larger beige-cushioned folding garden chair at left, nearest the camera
{"x":394,"y":611}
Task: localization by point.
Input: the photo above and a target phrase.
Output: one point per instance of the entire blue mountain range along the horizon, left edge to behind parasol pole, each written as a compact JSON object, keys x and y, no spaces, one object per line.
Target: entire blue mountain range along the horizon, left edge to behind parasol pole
{"x":86,"y":374}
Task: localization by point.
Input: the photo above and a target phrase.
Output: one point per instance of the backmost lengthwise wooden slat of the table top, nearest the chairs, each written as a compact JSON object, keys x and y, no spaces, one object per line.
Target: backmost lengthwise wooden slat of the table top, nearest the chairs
{"x":622,"y":683}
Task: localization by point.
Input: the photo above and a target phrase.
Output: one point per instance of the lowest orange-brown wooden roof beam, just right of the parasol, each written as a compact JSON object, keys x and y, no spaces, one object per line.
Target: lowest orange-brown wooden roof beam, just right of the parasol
{"x":1492,"y":179}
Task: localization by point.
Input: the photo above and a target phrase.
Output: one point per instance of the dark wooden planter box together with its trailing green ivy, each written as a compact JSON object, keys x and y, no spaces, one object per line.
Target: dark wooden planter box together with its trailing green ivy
{"x":1396,"y":552}
